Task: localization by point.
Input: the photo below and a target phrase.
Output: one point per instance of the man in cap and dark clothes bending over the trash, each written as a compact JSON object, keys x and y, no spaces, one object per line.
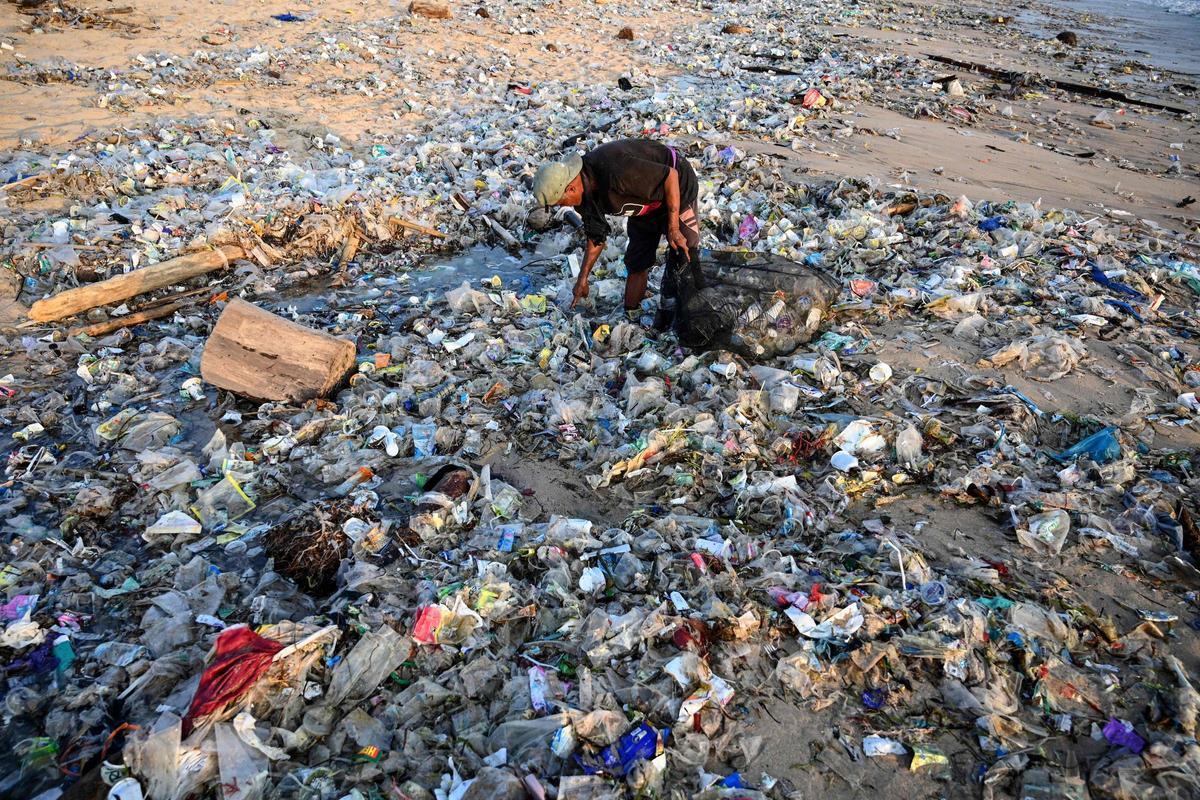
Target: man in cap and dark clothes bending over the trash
{"x":640,"y":179}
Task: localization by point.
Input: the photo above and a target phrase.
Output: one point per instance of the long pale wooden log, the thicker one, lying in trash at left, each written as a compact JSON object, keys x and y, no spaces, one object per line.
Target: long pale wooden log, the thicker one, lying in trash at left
{"x":123,"y":287}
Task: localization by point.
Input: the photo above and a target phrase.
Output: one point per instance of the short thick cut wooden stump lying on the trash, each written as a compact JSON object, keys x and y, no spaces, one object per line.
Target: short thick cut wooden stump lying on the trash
{"x":255,"y":353}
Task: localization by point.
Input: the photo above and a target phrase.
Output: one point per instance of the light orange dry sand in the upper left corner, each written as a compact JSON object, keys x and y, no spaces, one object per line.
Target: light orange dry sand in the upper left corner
{"x":309,"y":99}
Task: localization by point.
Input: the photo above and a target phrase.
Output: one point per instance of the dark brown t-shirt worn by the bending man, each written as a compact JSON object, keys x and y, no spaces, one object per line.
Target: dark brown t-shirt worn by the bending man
{"x":628,"y":179}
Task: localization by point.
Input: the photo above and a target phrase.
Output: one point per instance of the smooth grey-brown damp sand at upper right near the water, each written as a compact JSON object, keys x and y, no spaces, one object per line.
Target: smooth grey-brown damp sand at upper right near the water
{"x":1028,"y":146}
